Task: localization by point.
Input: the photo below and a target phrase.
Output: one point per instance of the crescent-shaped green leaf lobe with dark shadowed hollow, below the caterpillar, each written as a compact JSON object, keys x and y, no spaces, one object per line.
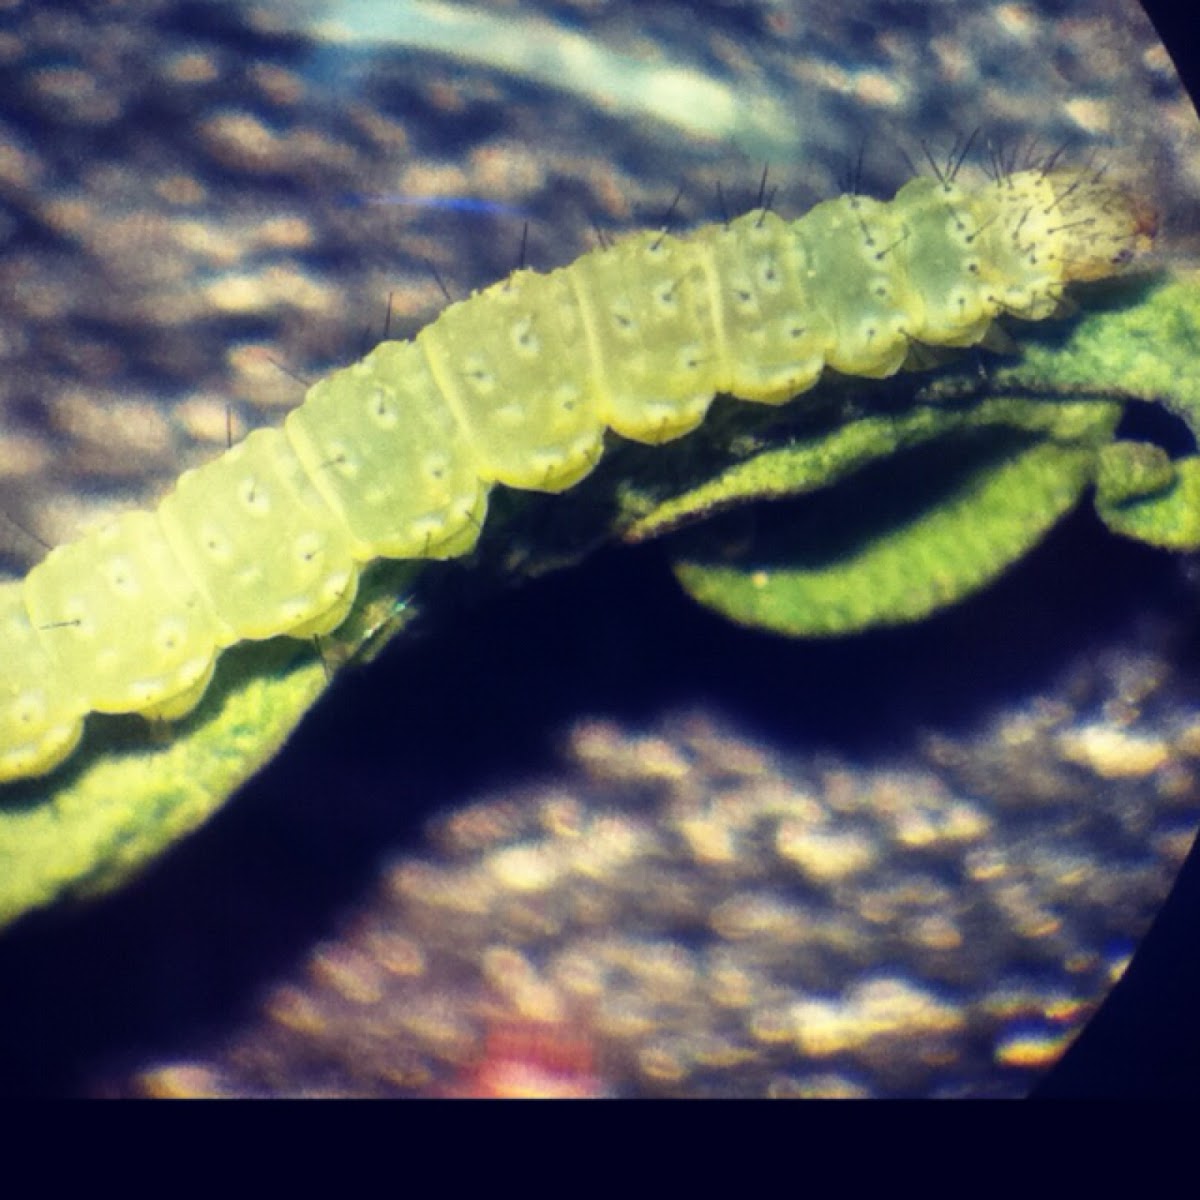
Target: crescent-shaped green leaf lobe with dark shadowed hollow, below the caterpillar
{"x":860,"y":561}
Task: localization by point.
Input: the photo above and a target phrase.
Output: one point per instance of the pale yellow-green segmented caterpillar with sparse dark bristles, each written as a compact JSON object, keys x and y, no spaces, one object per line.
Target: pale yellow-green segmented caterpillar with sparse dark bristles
{"x":519,"y":385}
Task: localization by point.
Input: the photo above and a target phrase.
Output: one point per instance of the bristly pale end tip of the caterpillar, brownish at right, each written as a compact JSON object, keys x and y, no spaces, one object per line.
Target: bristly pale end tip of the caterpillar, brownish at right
{"x":1106,"y":229}
